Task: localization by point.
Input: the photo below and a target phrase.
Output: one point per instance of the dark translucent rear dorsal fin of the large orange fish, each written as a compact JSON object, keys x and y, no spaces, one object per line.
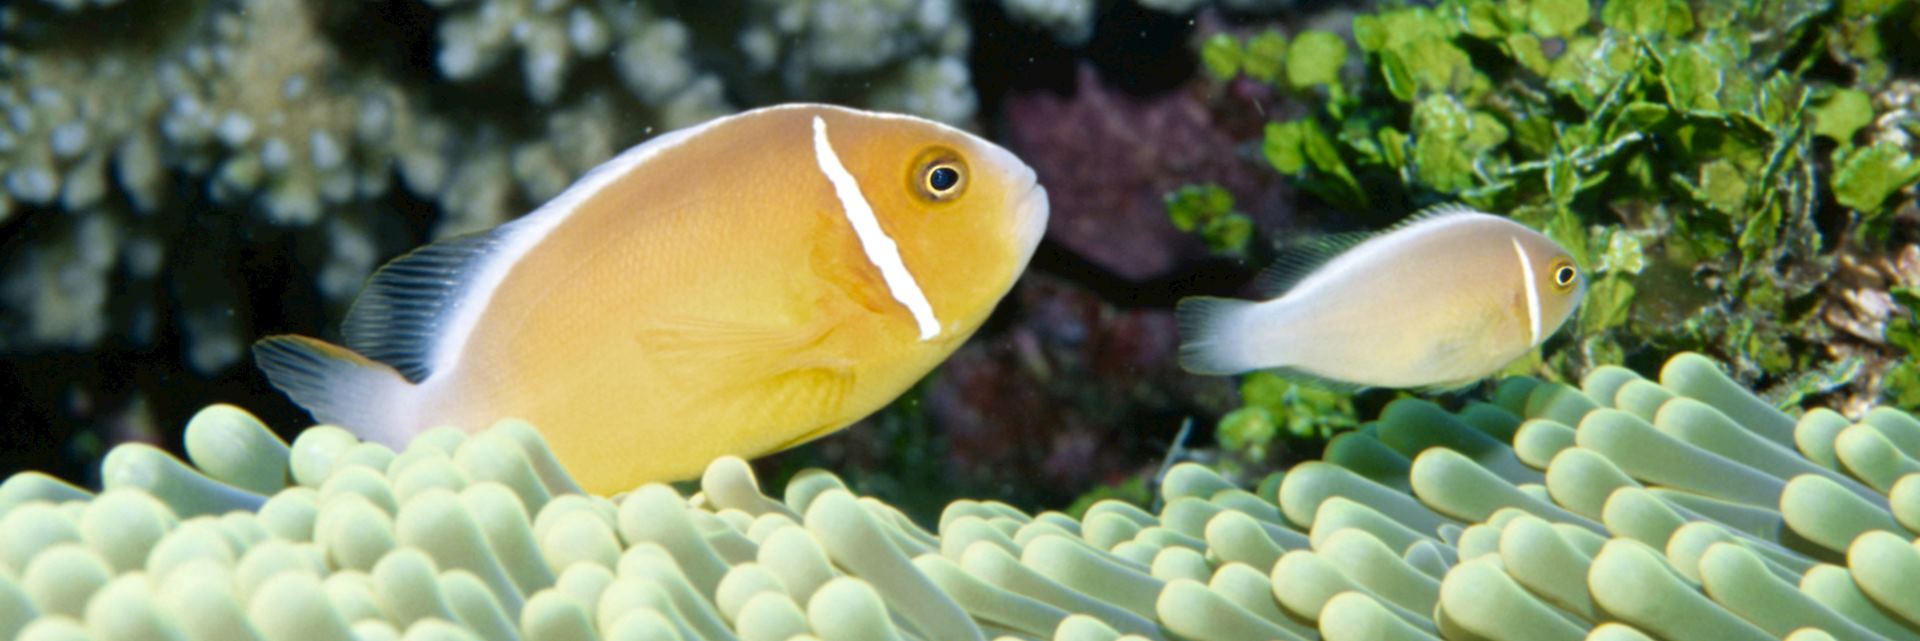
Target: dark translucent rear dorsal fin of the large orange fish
{"x":408,"y":304}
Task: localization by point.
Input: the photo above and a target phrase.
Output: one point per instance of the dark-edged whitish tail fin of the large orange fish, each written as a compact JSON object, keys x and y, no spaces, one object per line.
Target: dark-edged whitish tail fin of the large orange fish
{"x":339,"y":387}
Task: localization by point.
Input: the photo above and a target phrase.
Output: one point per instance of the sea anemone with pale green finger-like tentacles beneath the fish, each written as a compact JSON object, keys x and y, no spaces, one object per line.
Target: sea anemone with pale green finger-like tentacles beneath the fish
{"x":1621,"y":510}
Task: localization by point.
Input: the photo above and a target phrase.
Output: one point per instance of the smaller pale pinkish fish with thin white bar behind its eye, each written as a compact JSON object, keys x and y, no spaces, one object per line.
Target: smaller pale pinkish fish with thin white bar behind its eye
{"x":1439,"y":302}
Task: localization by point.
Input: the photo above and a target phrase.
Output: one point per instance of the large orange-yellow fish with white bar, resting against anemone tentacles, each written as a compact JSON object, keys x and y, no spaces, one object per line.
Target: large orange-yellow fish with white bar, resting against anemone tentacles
{"x":732,"y":289}
